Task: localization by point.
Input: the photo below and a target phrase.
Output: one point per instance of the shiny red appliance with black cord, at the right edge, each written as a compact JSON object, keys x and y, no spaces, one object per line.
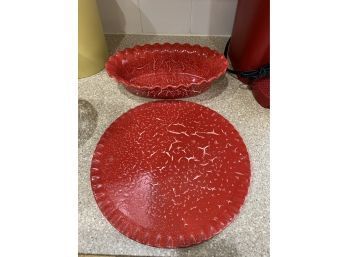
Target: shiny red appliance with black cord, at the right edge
{"x":248,"y":49}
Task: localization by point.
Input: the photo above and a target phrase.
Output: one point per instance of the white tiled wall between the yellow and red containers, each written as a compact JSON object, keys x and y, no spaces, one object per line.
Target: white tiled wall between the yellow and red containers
{"x":172,"y":17}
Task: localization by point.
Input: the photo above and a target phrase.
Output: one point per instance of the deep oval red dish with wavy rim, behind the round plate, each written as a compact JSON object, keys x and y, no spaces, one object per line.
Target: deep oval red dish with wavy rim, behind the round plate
{"x":166,"y":70}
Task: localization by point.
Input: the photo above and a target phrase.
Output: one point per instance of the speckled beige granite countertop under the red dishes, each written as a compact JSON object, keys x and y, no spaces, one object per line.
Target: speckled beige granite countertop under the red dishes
{"x":101,"y":101}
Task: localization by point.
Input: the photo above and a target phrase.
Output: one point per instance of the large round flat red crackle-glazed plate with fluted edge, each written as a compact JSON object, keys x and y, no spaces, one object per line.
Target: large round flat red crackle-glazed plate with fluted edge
{"x":170,"y":173}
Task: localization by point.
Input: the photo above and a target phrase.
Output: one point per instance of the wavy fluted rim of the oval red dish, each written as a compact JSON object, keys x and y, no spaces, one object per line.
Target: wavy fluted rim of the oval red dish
{"x":152,"y":47}
